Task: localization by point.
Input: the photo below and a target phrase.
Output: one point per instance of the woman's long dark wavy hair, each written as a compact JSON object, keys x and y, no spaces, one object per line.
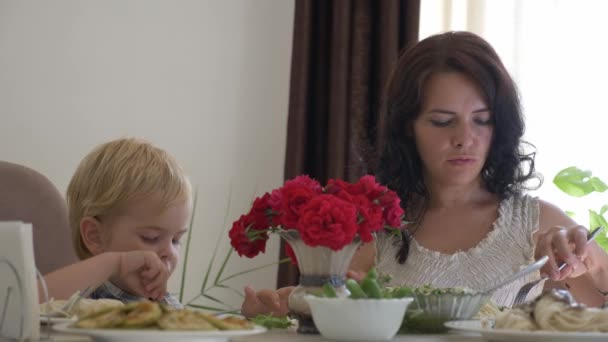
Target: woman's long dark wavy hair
{"x":507,"y":168}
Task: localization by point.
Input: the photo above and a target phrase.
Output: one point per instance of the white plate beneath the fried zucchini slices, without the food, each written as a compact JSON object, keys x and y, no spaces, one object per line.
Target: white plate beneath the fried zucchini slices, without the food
{"x":153,"y":335}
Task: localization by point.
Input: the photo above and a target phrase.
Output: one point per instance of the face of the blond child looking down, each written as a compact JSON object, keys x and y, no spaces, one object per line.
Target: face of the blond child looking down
{"x":144,"y":225}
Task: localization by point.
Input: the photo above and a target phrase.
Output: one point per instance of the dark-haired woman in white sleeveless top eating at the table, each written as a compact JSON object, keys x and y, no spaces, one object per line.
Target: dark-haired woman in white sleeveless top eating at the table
{"x":453,"y":153}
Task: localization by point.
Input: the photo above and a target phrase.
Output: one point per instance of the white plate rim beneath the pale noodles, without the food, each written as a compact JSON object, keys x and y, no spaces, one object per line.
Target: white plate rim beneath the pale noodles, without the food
{"x":492,"y":334}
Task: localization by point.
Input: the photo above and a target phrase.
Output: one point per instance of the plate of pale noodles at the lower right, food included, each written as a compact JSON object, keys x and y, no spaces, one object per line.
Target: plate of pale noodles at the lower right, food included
{"x":554,"y":316}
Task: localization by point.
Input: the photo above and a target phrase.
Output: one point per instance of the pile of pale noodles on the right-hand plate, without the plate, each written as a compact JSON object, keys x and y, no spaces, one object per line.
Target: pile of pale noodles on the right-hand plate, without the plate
{"x":554,"y":310}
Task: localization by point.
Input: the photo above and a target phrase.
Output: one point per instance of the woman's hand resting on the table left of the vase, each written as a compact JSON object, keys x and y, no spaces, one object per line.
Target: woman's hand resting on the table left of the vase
{"x":265,"y":302}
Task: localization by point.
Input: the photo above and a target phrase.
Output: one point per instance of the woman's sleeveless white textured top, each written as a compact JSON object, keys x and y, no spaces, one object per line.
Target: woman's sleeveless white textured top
{"x":507,"y":247}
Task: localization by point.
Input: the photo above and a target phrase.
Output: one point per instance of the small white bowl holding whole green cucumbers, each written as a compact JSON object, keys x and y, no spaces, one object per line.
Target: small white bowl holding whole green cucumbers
{"x":358,"y":319}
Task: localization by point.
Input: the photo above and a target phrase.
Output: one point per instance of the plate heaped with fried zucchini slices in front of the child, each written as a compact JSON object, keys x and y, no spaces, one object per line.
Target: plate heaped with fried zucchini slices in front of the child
{"x":151,"y":322}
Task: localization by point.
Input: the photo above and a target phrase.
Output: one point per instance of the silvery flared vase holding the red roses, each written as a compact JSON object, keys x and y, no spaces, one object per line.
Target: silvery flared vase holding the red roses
{"x":317,"y":266}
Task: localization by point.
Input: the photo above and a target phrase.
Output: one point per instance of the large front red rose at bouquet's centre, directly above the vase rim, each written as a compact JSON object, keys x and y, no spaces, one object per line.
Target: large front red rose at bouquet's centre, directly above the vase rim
{"x":327,"y":221}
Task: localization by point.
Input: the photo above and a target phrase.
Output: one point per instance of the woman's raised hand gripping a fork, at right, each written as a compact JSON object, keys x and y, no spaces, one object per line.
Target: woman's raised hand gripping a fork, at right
{"x":567,"y":245}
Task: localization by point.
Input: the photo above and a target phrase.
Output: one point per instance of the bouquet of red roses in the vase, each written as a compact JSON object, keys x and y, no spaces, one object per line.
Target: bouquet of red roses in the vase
{"x":330,"y":216}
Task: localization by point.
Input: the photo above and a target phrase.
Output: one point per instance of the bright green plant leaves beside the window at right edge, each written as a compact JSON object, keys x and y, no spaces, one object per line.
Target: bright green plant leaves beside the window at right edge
{"x":578,"y":183}
